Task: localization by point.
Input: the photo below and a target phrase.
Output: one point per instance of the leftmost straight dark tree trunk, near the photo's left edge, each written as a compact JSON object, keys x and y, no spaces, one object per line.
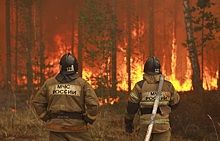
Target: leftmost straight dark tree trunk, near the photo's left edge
{"x":8,"y":46}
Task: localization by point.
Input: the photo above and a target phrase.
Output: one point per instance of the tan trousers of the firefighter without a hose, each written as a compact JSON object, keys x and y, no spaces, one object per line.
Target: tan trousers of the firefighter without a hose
{"x":69,"y":136}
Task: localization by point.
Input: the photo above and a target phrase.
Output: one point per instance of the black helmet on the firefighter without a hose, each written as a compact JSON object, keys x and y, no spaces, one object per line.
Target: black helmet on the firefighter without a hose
{"x":68,"y":64}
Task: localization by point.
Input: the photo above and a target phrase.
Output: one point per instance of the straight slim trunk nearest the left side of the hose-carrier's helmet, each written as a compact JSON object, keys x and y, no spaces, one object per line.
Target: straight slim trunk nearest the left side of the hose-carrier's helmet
{"x":129,"y":45}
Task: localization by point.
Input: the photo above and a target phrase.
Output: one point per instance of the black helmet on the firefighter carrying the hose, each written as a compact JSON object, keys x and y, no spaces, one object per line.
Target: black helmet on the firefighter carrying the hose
{"x":152,"y":66}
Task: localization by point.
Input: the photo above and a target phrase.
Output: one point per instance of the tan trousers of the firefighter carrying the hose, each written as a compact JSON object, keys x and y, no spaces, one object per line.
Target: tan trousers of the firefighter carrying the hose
{"x":164,"y":136}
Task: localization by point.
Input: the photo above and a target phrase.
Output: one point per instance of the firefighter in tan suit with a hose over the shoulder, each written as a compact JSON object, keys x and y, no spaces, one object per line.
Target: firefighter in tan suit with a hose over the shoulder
{"x":141,"y":101}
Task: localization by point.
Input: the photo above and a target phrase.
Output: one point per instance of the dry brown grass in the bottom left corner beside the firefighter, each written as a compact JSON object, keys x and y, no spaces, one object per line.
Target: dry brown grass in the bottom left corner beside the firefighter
{"x":21,"y":124}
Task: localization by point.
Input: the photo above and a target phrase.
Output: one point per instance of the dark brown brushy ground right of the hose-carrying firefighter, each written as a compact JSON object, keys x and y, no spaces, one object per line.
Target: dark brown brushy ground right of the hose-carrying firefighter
{"x":197,"y":116}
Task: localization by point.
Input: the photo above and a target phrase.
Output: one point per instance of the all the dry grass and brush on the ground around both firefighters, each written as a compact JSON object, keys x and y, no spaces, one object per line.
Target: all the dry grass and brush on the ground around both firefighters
{"x":196,"y":118}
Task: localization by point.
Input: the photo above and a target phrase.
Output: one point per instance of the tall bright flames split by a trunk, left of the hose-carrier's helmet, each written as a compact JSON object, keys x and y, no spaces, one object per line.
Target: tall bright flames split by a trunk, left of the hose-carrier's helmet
{"x":136,"y":61}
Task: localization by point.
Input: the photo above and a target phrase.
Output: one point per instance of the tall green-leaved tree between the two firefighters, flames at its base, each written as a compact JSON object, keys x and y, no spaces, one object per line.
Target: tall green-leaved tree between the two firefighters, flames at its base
{"x":96,"y":21}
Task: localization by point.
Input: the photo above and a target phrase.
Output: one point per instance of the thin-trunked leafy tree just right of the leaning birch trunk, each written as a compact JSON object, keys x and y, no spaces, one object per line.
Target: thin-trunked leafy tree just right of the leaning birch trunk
{"x":206,"y":26}
